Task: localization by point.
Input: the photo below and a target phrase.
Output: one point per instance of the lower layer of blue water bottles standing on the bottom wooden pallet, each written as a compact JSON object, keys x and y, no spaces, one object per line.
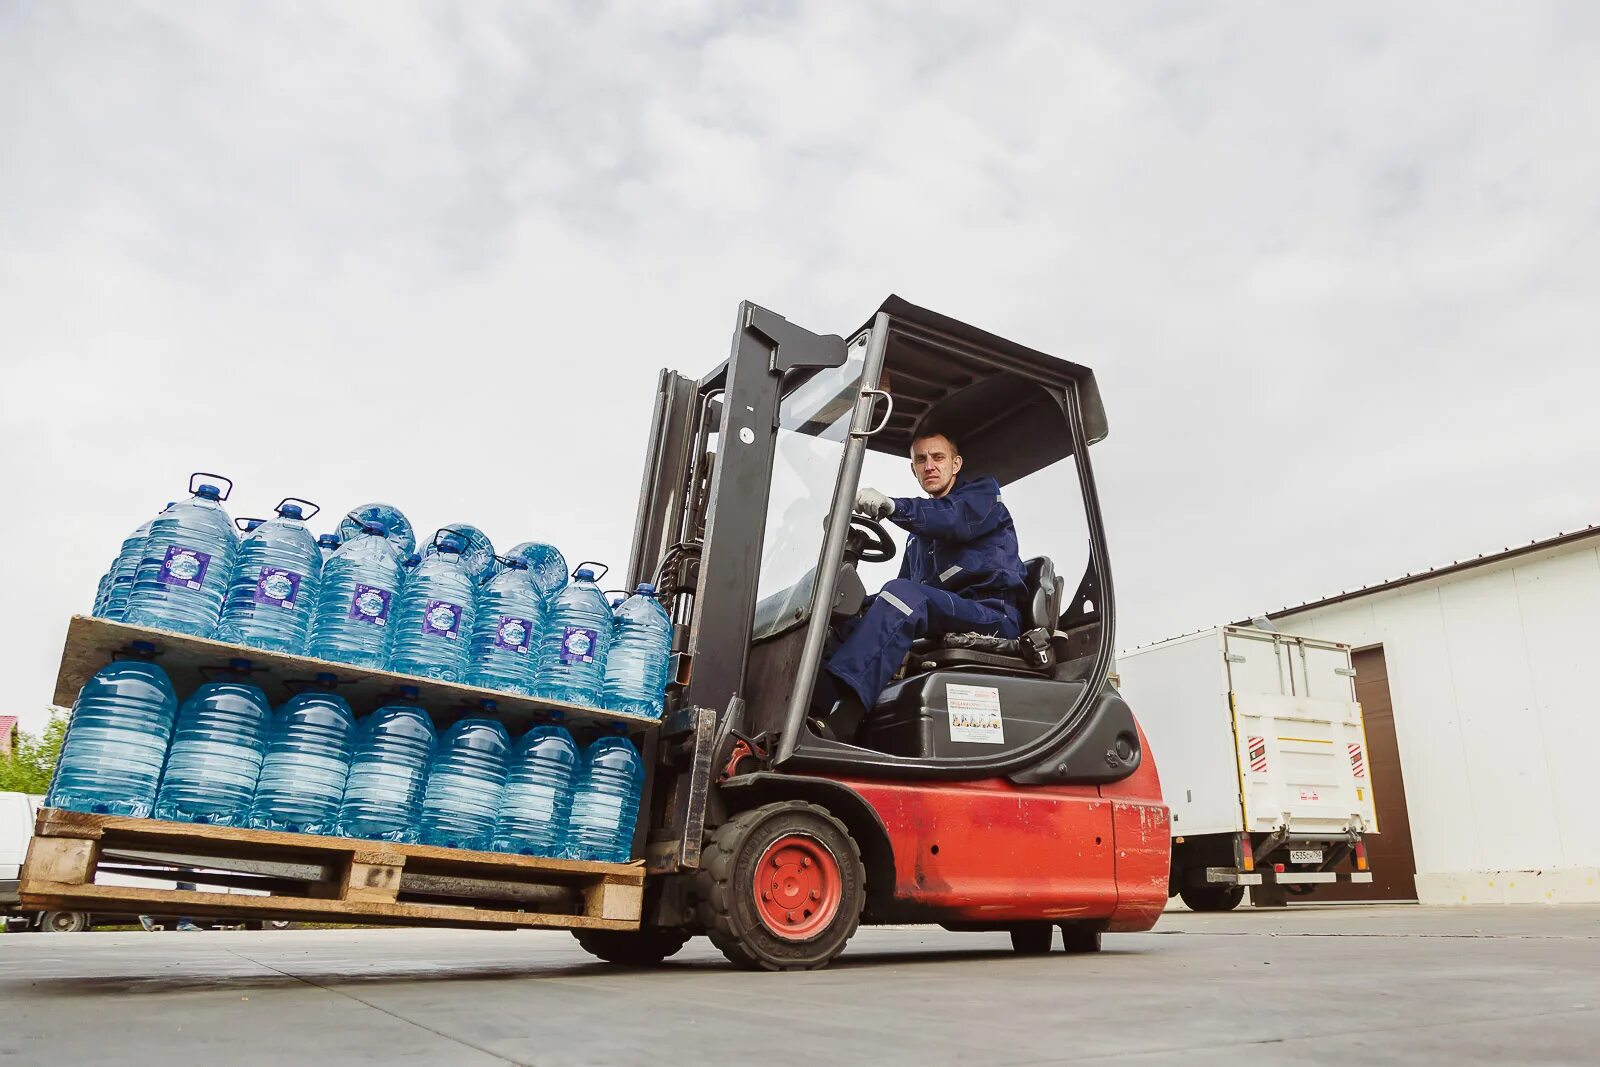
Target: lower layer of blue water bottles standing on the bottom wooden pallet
{"x":225,"y":757}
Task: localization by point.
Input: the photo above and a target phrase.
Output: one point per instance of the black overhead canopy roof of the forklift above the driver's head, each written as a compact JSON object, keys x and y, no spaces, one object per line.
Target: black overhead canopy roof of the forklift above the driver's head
{"x":991,"y":394}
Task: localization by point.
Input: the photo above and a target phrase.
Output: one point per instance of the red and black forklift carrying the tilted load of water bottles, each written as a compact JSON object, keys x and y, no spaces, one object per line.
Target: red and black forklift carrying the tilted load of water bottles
{"x":996,"y":786}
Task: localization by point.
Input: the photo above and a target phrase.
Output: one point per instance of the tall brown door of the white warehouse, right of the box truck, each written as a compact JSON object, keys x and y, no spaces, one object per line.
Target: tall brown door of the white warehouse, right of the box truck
{"x":1390,"y":852}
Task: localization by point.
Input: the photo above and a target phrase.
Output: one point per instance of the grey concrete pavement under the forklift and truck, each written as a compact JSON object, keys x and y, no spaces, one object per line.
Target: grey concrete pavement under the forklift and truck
{"x":1358,"y":985}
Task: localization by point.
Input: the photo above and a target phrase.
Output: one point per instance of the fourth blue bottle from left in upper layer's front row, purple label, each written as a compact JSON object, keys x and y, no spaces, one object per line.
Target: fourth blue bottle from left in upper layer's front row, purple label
{"x":433,"y":628}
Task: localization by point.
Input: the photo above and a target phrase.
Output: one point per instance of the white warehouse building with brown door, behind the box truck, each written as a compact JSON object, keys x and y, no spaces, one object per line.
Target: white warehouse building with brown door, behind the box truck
{"x":1482,"y":708}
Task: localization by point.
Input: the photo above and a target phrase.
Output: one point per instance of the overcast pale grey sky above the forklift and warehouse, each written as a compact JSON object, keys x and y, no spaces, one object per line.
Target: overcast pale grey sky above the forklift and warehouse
{"x":1335,"y":266}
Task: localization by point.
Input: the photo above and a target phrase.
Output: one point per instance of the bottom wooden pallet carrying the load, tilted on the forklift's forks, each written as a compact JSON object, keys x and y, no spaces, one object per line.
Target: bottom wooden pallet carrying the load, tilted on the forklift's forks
{"x":316,"y":879}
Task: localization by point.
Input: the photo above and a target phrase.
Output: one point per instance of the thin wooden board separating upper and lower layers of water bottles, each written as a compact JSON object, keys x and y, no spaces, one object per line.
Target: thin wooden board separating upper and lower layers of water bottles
{"x":92,"y":644}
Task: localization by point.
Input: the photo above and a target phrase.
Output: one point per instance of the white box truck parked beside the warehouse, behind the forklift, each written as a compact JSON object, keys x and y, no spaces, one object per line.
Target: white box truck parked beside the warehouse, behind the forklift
{"x":1263,"y":762}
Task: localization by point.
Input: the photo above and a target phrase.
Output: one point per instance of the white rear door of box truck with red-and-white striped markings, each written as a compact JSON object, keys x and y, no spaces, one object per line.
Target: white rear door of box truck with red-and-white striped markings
{"x":1298,"y":729}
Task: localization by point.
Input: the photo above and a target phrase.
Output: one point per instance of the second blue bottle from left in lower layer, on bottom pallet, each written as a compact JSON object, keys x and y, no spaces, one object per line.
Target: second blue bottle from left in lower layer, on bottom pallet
{"x":218,"y":745}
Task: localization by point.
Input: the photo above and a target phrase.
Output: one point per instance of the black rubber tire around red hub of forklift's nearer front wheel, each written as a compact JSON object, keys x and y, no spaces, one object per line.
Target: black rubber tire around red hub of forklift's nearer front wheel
{"x":727,"y":901}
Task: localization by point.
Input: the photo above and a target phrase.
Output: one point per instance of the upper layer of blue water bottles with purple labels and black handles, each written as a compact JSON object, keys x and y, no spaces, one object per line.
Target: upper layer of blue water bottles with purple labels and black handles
{"x":366,"y":597}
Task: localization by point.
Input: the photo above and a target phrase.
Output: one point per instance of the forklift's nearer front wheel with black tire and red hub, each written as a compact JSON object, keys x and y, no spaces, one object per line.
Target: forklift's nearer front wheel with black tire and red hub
{"x":782,"y":887}
